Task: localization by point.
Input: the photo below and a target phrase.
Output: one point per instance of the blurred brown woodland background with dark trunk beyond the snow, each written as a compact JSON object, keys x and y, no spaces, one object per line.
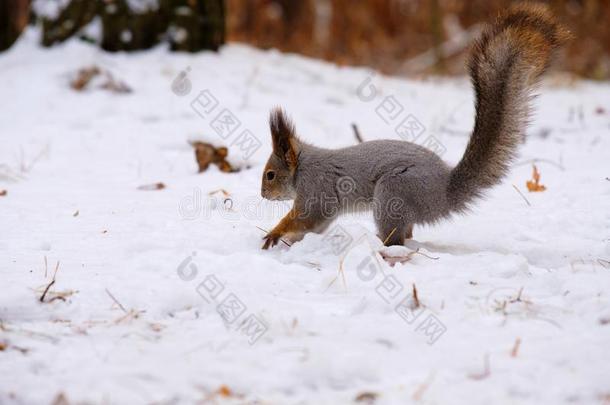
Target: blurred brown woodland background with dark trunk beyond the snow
{"x":400,"y":37}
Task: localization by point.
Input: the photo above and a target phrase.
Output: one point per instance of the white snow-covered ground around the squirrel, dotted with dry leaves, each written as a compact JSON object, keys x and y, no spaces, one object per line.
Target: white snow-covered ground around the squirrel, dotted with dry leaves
{"x":514,"y":298}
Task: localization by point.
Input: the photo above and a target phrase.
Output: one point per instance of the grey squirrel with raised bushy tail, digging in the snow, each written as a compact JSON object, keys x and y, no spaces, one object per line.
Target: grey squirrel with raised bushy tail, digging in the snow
{"x":405,"y":184}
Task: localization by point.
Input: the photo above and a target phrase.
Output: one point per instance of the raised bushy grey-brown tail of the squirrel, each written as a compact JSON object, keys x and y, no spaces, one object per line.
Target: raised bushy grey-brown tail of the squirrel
{"x":505,"y":65}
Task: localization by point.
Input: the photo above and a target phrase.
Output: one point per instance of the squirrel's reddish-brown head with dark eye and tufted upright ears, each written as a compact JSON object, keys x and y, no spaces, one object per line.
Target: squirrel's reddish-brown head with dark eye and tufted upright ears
{"x":278,"y":176}
